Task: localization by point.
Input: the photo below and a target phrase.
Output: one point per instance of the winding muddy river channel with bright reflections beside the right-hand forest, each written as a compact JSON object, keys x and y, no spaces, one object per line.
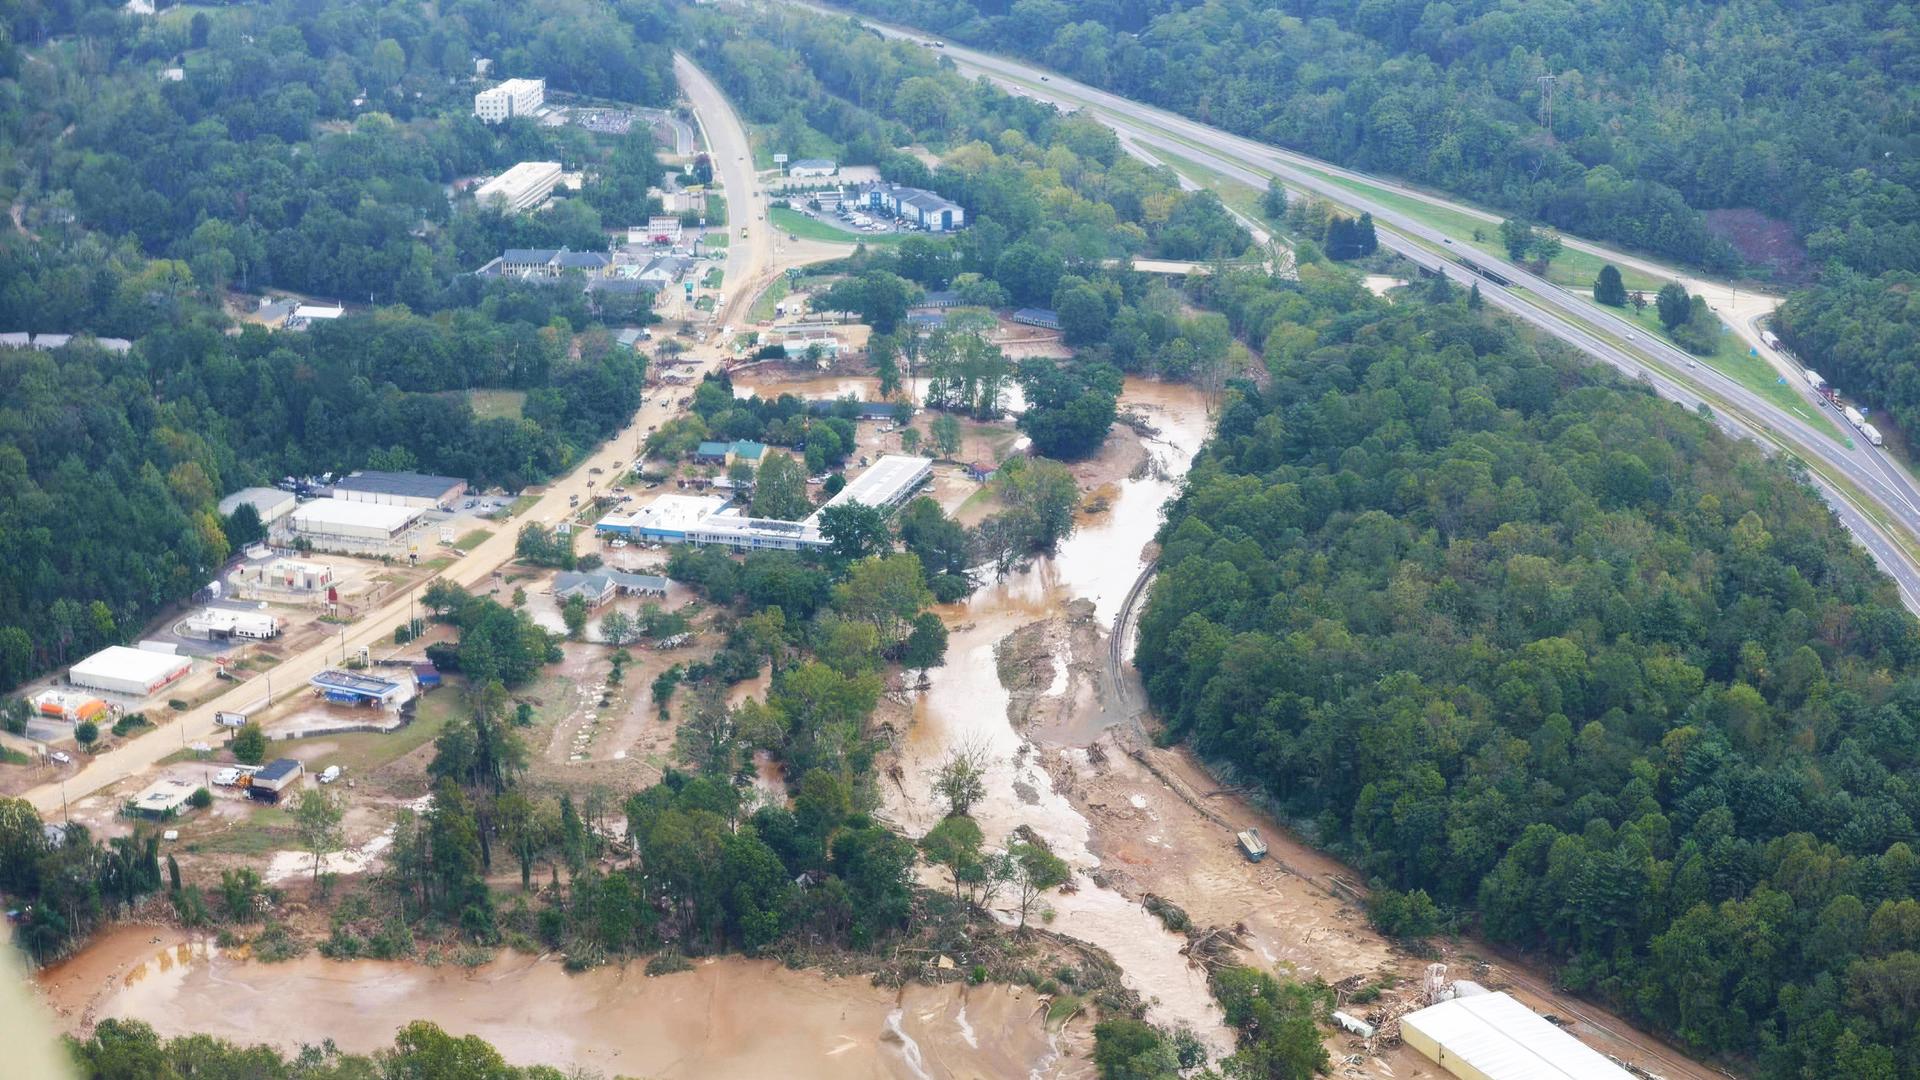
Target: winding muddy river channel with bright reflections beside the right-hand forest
{"x":969,"y":708}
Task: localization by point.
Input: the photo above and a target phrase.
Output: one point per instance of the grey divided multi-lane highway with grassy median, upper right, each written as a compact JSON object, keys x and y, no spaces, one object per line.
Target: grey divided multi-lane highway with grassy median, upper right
{"x":1894,"y":495}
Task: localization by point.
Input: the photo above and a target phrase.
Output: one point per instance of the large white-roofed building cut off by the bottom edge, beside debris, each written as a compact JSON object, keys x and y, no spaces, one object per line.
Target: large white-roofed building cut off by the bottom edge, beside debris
{"x":1491,"y":1037}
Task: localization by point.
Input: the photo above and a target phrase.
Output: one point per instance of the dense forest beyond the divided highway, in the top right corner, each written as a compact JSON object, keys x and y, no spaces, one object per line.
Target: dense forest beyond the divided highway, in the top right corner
{"x":1660,"y":114}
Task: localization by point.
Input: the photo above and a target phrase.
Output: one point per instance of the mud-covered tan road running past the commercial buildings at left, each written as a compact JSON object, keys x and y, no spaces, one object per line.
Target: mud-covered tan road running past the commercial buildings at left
{"x":748,"y":260}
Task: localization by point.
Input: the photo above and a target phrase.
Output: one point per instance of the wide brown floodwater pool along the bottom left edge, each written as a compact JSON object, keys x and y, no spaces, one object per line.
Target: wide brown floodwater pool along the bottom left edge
{"x":727,"y":1018}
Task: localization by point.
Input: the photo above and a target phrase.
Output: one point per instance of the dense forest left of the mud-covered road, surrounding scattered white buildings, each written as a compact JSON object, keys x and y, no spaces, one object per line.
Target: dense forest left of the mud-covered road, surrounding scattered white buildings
{"x":297,"y":151}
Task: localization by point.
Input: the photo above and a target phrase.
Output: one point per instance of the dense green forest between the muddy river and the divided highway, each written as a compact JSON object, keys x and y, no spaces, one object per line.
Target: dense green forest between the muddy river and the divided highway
{"x":1564,"y":656}
